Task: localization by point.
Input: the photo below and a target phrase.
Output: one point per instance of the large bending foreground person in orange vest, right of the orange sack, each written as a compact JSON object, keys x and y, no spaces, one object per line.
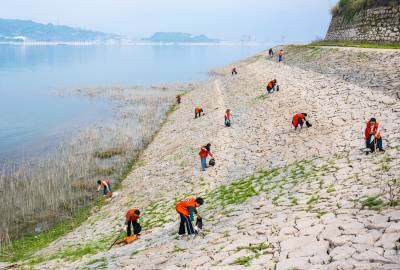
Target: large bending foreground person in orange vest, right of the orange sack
{"x":185,"y":209}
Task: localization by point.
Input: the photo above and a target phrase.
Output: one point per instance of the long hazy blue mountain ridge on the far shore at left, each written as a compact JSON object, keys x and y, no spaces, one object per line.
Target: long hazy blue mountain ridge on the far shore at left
{"x":23,"y":30}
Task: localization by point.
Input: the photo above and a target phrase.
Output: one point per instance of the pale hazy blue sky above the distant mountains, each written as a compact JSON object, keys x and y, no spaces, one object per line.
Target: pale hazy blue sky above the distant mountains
{"x":266,"y":20}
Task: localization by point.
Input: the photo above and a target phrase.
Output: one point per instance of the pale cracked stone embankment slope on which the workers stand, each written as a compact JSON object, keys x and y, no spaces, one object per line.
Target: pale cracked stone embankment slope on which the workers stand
{"x":277,"y":198}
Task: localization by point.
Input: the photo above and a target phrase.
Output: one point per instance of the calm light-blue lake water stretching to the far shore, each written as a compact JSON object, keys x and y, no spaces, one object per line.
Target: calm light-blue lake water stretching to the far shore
{"x":32,"y":117}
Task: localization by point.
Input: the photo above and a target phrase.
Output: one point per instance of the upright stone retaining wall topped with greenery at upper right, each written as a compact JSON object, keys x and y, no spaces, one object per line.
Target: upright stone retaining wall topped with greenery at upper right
{"x":381,"y":24}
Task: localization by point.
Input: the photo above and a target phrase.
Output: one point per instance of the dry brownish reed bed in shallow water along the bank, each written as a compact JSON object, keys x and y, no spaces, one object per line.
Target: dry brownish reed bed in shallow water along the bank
{"x":39,"y":192}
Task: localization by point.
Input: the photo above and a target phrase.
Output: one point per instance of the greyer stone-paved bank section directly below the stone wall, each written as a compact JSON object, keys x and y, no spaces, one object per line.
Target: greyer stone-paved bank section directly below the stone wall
{"x":371,"y":68}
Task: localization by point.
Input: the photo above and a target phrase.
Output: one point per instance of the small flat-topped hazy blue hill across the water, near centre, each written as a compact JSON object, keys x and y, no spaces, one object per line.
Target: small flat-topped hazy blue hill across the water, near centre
{"x":179,"y":37}
